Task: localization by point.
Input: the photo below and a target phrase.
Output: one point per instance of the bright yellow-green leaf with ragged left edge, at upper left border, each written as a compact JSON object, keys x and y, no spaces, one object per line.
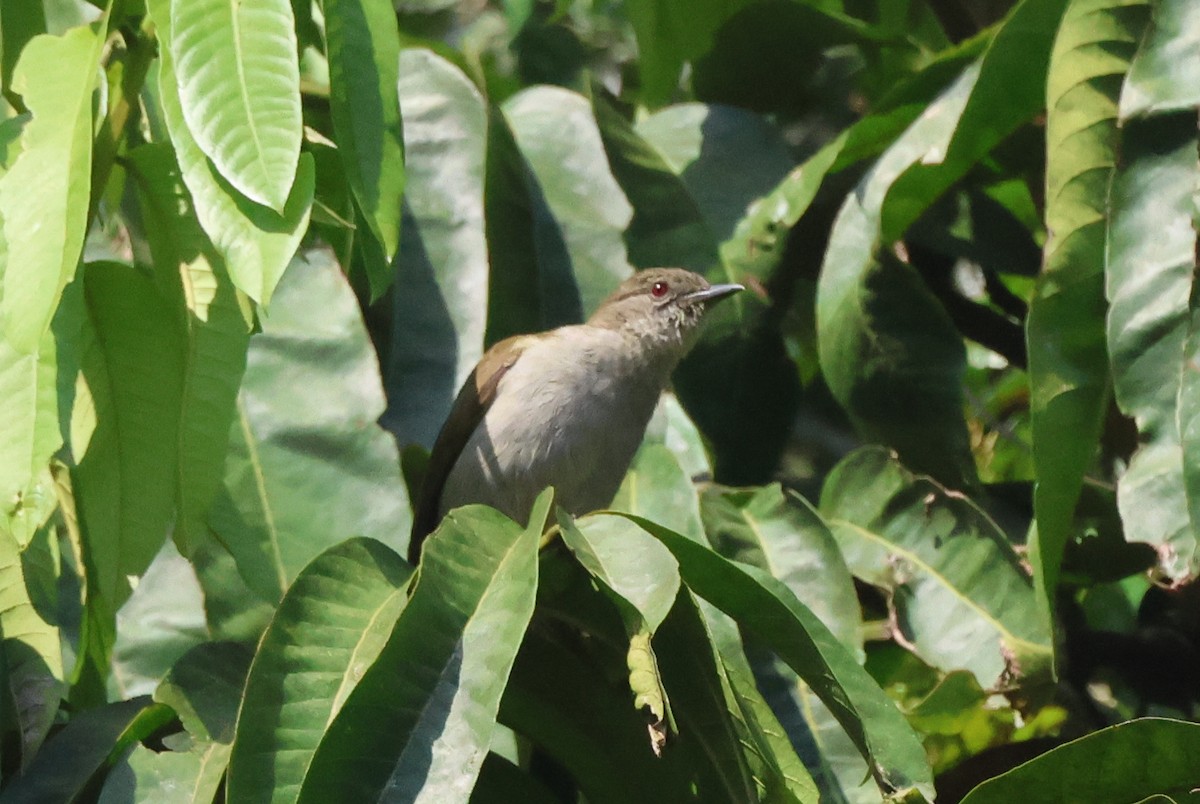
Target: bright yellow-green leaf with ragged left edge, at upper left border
{"x":44,"y":197}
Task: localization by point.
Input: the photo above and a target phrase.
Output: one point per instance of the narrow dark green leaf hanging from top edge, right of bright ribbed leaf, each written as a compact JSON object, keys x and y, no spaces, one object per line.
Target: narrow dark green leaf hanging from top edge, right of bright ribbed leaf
{"x":363,"y":46}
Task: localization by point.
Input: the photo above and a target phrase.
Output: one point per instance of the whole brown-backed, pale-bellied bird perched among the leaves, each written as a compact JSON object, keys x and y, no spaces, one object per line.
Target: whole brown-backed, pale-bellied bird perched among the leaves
{"x":566,"y":409}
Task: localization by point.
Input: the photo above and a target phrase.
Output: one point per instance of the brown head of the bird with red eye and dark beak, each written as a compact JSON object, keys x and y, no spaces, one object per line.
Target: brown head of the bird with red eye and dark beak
{"x":663,"y":308}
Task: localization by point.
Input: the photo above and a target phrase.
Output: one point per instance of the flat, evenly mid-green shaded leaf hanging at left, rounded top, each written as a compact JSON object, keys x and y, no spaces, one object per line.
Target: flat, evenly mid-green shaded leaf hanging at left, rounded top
{"x":127,"y":479}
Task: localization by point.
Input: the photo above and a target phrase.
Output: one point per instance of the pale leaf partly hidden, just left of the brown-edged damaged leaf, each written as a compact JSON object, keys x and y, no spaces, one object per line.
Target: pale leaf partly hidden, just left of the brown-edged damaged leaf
{"x":778,"y":532}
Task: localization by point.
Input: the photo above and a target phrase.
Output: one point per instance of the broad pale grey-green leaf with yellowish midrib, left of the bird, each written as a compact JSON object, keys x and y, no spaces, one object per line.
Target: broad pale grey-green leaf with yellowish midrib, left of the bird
{"x":308,"y":465}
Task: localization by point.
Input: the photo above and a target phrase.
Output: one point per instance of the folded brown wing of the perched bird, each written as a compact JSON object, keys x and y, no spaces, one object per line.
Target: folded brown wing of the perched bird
{"x":473,"y":401}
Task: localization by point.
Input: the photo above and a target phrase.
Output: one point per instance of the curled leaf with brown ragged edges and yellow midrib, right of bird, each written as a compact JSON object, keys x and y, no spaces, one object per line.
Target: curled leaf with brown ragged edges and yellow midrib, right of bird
{"x":961,"y":595}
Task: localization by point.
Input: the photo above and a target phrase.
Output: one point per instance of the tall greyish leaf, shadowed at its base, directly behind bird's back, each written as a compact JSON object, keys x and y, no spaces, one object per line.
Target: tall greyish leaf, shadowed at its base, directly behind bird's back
{"x":440,"y":313}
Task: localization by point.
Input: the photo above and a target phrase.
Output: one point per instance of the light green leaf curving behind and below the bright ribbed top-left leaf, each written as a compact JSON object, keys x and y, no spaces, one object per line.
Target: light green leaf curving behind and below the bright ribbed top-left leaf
{"x":256,"y":242}
